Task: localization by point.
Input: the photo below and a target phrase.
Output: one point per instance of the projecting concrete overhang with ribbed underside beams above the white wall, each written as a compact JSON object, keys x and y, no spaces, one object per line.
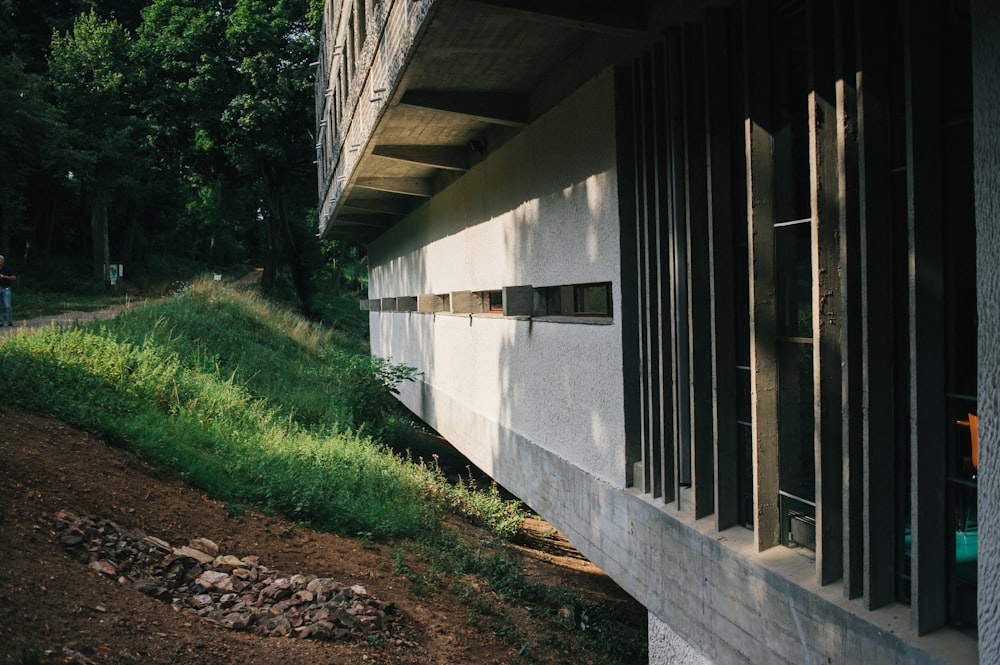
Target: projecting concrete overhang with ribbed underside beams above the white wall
{"x":472,"y":75}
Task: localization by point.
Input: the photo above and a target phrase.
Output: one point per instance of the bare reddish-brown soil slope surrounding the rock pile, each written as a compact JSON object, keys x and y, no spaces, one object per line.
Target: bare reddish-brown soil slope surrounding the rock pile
{"x":54,"y":609}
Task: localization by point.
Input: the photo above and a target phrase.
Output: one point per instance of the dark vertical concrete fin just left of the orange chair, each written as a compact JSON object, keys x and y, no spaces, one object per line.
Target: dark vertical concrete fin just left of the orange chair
{"x":925,"y":208}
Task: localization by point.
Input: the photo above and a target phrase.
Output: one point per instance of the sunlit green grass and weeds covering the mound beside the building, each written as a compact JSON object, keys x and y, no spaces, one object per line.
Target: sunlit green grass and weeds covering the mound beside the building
{"x":265,"y":410}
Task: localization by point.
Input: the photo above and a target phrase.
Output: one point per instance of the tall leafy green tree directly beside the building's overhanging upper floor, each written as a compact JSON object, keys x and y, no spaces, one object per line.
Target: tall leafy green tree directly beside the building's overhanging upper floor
{"x":231,"y":102}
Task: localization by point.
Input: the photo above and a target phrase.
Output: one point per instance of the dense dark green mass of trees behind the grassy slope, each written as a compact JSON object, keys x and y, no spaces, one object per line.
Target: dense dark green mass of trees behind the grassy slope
{"x":162,"y":132}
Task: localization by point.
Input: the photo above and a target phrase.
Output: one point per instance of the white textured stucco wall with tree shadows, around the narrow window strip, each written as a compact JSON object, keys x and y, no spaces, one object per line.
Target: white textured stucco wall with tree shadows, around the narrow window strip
{"x":542,"y":211}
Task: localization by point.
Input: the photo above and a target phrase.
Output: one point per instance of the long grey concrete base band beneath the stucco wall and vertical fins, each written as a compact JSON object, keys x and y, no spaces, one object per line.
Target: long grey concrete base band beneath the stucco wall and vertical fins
{"x":720,"y":601}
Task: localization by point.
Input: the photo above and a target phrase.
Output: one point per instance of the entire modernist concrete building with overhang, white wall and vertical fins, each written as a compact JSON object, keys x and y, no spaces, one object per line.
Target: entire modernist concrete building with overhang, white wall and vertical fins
{"x":712,"y":286}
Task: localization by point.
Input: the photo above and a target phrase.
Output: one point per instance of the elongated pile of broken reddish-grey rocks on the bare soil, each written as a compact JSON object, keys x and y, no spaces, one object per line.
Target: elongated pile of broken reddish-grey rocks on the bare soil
{"x":234,"y":592}
